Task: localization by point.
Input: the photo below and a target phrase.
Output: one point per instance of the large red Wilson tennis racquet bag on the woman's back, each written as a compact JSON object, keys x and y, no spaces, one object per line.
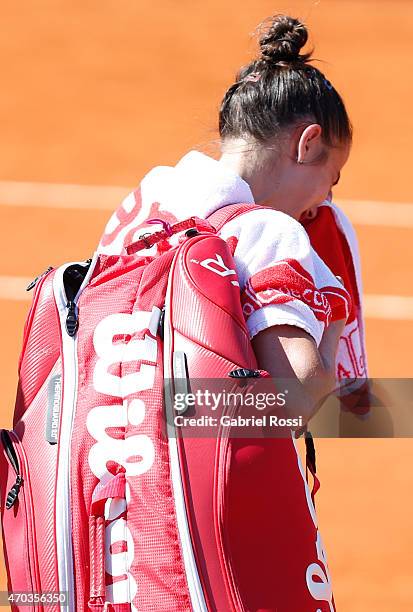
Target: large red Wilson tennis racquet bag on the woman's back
{"x":104,"y":505}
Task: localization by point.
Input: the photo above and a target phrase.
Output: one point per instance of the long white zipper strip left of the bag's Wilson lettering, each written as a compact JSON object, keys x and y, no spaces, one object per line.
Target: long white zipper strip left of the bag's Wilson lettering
{"x":67,"y":308}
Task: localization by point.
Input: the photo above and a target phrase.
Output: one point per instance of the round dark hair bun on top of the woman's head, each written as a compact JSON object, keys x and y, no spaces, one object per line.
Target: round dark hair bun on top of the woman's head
{"x":283,"y":40}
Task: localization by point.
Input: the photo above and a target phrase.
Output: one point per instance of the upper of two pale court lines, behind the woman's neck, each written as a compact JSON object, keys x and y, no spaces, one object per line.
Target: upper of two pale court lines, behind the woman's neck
{"x":98,"y":197}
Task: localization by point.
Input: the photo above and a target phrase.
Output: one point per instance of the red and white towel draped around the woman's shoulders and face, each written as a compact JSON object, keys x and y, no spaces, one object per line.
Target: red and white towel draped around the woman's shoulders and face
{"x":287,"y":274}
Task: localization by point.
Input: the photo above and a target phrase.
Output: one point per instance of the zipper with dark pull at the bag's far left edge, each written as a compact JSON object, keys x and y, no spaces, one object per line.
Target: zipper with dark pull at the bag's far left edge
{"x":17,"y":457}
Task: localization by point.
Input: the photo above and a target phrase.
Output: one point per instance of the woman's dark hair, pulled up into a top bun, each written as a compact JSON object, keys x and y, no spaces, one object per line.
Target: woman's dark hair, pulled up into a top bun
{"x":281,"y":88}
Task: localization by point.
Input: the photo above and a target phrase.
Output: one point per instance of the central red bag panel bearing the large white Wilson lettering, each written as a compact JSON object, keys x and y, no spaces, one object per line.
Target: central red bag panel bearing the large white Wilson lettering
{"x":125,"y":540}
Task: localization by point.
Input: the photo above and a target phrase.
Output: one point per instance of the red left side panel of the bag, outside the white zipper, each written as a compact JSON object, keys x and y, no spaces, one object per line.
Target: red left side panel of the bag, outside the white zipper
{"x":29,"y":539}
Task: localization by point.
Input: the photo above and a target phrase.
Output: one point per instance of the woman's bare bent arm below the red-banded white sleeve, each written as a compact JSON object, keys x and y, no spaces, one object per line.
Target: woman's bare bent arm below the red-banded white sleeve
{"x":289,"y":352}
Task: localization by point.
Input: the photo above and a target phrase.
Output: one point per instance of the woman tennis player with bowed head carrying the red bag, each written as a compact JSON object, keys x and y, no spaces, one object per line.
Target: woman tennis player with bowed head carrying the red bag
{"x":285,"y":138}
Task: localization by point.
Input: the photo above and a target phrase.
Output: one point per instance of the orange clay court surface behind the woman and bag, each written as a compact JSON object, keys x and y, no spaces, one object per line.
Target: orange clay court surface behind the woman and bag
{"x":96,"y":93}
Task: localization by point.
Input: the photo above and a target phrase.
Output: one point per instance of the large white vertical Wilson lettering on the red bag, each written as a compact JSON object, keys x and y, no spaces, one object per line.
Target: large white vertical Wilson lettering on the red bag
{"x":122,"y":451}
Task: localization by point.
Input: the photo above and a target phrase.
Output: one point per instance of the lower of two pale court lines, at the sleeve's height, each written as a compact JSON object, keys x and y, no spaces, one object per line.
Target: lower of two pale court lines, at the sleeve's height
{"x":392,"y":307}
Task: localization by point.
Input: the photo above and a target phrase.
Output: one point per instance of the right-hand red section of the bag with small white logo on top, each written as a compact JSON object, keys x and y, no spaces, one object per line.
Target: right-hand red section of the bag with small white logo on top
{"x":251,"y":491}
